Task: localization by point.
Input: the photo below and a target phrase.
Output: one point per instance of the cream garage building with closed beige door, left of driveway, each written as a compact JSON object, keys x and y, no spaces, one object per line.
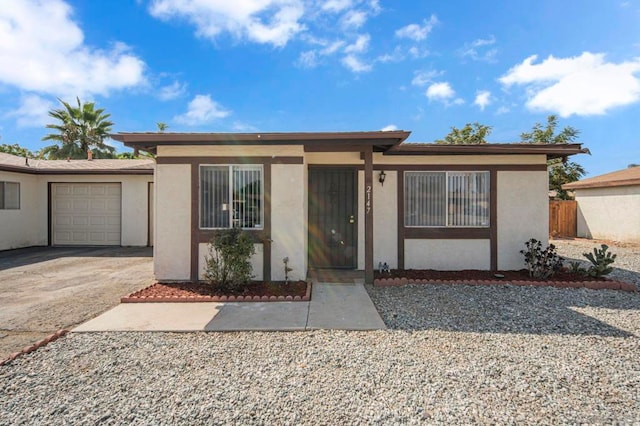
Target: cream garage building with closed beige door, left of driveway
{"x":75,"y":202}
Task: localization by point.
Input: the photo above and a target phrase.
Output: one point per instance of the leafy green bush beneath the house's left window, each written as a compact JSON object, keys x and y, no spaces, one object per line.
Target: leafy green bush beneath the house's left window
{"x":228,"y":266}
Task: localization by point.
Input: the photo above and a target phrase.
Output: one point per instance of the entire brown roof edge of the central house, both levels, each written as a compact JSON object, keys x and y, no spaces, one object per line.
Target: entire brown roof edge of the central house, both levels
{"x":389,"y":142}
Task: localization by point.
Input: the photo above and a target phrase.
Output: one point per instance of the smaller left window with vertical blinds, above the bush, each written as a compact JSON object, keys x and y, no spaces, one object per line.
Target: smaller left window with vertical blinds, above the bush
{"x":231,"y":196}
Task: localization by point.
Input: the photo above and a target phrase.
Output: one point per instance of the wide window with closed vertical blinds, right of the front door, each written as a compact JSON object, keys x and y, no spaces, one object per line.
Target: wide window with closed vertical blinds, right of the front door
{"x":446,"y":199}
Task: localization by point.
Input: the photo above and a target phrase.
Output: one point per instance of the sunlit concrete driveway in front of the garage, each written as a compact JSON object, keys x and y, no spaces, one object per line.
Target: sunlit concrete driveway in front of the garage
{"x":45,"y":289}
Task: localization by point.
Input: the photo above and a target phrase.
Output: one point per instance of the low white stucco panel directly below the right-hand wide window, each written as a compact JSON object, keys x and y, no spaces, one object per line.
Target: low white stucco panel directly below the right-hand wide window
{"x":447,"y":255}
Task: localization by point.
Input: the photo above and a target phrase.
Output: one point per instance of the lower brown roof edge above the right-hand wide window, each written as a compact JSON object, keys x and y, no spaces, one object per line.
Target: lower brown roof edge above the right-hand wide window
{"x":550,"y":150}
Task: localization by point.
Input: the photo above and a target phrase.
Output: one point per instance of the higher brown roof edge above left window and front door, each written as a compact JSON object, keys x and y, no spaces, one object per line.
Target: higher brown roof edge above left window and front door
{"x":149,"y":141}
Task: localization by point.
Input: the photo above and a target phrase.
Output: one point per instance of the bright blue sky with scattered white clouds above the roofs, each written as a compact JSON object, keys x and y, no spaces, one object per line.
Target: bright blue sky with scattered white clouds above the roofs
{"x":332,"y":65}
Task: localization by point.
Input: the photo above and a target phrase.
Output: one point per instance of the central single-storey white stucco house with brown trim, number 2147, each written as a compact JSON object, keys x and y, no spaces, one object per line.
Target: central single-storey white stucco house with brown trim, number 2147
{"x":346,"y":200}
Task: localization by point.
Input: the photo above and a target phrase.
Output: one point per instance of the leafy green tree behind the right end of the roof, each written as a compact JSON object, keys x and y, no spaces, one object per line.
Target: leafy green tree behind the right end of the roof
{"x":560,"y":172}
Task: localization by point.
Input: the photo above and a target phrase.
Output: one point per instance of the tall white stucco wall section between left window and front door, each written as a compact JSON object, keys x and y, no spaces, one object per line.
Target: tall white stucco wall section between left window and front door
{"x":288,"y":220}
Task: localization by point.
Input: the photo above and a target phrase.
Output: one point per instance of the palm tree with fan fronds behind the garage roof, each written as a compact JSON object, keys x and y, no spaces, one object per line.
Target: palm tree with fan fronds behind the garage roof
{"x":79,"y":129}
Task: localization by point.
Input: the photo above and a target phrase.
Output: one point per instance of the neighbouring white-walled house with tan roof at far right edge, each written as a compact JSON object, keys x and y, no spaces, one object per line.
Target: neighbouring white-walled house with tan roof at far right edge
{"x":609,"y":205}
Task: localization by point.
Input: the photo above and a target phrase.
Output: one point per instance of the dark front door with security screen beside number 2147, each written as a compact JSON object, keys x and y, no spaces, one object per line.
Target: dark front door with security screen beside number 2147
{"x":333,"y":230}
